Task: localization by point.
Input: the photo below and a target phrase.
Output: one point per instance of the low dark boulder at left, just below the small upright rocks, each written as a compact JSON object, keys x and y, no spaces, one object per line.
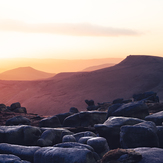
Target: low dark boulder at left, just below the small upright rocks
{"x":18,"y":120}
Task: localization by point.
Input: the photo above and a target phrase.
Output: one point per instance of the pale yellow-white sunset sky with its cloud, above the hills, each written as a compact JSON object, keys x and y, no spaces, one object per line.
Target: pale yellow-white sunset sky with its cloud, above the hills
{"x":80,"y":29}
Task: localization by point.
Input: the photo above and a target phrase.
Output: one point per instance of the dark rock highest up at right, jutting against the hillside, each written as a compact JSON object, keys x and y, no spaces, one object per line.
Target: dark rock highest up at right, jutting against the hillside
{"x":152,"y":96}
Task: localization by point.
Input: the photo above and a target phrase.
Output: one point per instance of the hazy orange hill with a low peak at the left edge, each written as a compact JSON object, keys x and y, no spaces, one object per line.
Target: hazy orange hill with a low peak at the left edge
{"x":24,"y":73}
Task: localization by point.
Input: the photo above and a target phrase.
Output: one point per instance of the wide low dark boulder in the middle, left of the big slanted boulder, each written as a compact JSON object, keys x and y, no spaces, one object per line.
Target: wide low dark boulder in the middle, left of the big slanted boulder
{"x":85,"y":119}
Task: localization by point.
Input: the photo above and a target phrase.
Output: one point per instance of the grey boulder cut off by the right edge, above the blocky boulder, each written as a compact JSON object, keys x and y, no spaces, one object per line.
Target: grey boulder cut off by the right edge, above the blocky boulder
{"x":157,"y":118}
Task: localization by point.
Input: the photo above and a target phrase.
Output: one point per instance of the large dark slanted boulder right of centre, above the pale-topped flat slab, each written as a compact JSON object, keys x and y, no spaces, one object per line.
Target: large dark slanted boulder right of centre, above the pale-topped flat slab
{"x":133,"y":109}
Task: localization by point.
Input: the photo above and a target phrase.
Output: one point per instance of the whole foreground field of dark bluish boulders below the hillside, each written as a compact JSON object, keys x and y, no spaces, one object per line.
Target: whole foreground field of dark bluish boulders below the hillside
{"x":121,"y":131}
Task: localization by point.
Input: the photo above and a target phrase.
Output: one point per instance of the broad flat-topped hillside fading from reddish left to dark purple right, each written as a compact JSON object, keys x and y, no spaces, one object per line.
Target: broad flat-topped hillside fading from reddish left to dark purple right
{"x":135,"y":74}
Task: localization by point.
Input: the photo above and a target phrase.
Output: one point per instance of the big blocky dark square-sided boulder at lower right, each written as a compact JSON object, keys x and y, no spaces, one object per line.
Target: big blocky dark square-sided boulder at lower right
{"x":140,"y":135}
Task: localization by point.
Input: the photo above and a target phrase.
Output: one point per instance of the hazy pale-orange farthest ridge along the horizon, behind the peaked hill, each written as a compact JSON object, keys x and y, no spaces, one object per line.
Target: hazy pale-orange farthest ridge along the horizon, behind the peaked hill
{"x":54,"y":65}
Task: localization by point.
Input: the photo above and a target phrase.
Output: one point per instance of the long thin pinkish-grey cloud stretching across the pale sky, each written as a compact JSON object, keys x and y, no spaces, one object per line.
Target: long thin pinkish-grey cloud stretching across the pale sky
{"x":81,"y":29}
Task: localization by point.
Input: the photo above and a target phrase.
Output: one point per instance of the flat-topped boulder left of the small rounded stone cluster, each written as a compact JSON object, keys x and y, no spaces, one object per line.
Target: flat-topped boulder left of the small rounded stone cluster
{"x":51,"y":136}
